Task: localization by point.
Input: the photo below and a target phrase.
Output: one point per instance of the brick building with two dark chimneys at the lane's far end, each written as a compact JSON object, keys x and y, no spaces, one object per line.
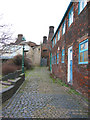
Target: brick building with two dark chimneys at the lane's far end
{"x":46,"y":48}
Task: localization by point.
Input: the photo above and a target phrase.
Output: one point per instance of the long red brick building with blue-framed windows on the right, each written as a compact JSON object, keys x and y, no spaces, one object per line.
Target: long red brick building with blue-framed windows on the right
{"x":70,"y":46}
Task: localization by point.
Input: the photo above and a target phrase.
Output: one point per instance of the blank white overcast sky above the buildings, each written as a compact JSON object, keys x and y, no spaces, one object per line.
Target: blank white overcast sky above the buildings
{"x":32,"y":18}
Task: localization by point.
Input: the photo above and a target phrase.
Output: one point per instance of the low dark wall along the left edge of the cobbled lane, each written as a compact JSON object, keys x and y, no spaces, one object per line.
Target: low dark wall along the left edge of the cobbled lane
{"x":8,"y":92}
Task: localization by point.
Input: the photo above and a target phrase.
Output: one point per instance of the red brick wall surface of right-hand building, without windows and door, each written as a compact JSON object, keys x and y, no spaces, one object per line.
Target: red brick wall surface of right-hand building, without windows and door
{"x":75,"y":33}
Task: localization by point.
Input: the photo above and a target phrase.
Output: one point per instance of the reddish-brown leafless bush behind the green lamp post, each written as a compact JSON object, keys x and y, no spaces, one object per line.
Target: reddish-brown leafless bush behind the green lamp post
{"x":14,"y":64}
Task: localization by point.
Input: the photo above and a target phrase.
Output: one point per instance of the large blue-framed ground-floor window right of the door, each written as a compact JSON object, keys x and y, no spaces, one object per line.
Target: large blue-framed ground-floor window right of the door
{"x":83,"y":52}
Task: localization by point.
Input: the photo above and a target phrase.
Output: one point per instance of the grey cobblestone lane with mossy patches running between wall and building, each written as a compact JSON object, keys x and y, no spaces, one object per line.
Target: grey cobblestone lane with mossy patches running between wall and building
{"x":39,"y":97}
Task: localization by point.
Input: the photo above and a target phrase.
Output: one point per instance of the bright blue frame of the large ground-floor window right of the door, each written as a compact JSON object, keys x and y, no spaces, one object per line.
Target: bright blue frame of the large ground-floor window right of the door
{"x":82,"y":51}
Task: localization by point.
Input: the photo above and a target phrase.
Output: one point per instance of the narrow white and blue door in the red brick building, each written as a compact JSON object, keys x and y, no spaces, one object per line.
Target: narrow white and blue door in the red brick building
{"x":70,"y":73}
